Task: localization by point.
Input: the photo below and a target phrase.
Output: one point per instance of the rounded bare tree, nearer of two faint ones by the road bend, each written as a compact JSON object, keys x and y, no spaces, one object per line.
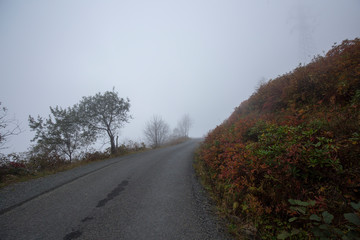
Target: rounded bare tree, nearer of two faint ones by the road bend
{"x":156,"y":131}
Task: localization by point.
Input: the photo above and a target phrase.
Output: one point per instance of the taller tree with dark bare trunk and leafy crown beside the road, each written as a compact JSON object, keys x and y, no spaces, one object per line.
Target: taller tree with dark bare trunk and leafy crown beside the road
{"x":104,"y":114}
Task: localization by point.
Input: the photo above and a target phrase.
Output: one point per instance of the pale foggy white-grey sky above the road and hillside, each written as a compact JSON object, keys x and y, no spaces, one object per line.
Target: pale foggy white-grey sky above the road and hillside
{"x":201,"y":57}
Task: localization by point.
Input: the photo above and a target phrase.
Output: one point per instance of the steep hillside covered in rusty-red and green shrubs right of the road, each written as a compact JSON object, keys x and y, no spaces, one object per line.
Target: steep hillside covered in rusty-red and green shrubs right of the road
{"x":287,"y":161}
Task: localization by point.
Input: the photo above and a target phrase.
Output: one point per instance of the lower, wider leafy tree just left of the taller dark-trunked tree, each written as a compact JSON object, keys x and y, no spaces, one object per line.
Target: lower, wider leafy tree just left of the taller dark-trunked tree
{"x":61,"y":133}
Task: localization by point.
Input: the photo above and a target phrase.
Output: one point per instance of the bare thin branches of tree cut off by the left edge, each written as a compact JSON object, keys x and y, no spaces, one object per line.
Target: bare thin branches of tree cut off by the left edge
{"x":8,"y":127}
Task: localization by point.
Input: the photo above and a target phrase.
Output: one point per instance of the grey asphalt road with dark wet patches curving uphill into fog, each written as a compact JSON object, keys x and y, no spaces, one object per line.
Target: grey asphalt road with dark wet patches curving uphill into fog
{"x":150,"y":195}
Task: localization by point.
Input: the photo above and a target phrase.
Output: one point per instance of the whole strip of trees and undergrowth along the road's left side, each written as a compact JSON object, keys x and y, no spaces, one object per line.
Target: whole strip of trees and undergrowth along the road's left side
{"x":64,"y":140}
